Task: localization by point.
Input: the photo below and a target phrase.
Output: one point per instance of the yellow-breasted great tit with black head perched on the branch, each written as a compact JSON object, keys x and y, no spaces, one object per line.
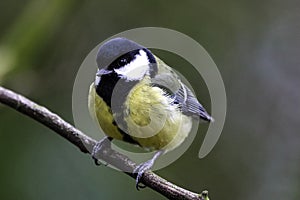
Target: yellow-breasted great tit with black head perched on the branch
{"x":139,"y":99}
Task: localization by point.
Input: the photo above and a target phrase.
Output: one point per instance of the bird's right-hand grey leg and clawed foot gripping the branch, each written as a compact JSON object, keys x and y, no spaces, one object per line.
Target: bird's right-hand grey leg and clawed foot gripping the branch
{"x":143,"y":167}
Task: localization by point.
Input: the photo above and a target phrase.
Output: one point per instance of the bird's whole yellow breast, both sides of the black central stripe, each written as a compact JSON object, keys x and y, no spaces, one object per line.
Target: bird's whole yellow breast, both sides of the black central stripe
{"x":152,"y":120}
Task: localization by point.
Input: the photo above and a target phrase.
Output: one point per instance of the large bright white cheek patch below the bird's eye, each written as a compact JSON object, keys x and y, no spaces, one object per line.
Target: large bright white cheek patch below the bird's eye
{"x":136,"y":69}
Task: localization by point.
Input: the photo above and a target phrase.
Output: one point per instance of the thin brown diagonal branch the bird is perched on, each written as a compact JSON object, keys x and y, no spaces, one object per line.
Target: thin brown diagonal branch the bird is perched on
{"x":86,"y":144}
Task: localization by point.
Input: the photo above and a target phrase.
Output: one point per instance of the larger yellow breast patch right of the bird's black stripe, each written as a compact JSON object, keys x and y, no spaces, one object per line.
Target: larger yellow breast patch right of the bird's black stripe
{"x":148,"y":107}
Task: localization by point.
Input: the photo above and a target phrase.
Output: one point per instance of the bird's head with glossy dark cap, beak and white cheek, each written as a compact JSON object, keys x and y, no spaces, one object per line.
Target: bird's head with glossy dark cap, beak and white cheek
{"x":126,"y":59}
